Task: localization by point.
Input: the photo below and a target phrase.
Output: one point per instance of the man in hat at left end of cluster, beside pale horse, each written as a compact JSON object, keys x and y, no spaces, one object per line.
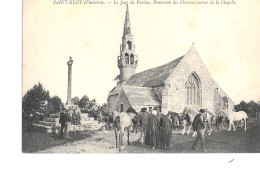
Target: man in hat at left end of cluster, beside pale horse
{"x":143,"y":123}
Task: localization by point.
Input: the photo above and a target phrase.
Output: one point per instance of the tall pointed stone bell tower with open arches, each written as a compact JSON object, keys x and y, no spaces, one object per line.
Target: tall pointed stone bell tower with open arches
{"x":127,"y":61}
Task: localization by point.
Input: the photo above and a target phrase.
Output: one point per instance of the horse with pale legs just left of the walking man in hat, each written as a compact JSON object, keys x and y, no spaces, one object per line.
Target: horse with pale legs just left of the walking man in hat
{"x":188,"y":116}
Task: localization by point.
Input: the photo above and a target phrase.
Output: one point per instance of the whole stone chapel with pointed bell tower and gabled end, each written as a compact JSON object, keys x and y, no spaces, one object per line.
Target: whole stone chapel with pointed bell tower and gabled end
{"x":182,"y":82}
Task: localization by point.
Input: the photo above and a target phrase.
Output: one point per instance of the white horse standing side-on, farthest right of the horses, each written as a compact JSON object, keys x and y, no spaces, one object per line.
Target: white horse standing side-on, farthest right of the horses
{"x":234,"y":116}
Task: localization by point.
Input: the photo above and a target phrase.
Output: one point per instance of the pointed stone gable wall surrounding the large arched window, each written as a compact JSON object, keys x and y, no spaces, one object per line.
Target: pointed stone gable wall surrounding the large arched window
{"x":175,"y":96}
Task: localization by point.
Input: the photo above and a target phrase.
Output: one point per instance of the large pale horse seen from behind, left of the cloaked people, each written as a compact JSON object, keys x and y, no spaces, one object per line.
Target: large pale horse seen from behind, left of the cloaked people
{"x":122,"y":121}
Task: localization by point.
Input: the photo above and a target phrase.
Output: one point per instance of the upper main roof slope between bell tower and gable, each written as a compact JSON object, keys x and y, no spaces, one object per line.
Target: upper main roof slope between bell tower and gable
{"x":153,"y":77}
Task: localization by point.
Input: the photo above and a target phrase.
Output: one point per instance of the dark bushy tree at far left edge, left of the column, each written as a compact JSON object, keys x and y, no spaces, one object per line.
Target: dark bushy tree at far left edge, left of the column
{"x":35,"y":100}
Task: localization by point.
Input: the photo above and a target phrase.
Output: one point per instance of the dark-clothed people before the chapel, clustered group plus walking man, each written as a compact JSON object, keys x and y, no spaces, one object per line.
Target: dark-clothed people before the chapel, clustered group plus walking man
{"x":156,"y":129}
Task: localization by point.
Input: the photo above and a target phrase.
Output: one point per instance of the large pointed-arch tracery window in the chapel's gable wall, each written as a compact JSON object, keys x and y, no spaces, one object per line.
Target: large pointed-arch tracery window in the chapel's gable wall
{"x":193,"y":89}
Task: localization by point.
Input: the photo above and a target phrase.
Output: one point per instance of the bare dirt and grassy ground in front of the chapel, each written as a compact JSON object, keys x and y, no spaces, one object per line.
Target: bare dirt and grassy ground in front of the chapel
{"x":222,"y":141}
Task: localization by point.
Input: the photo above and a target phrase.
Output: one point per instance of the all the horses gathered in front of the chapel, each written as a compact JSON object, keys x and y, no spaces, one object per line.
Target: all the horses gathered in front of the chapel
{"x":125,"y":121}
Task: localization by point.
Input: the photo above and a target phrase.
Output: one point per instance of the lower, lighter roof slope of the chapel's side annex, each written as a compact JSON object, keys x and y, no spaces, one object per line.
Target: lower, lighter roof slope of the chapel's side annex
{"x":141,"y":96}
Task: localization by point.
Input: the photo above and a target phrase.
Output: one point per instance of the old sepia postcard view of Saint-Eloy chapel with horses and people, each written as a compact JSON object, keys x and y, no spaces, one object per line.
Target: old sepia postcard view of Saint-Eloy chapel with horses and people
{"x":140,"y":77}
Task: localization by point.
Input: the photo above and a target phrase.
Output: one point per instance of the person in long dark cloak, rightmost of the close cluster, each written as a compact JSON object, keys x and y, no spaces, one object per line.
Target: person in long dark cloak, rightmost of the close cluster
{"x":166,"y":132}
